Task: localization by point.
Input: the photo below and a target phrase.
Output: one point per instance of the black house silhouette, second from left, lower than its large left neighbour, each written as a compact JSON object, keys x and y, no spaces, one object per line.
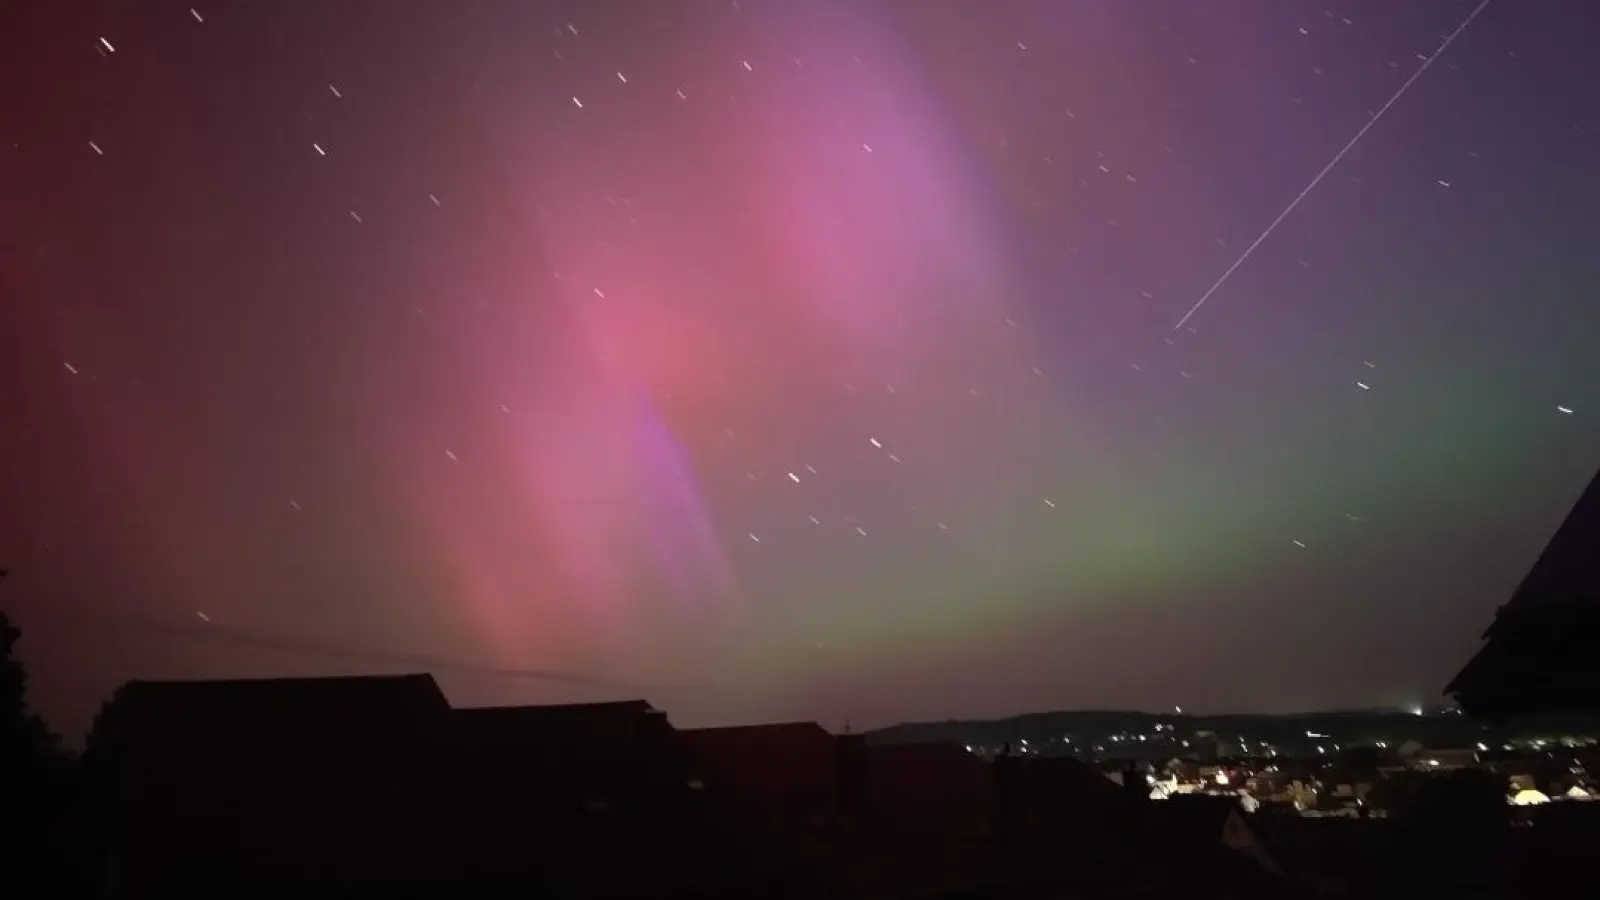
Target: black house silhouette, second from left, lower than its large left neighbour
{"x":606,"y":800}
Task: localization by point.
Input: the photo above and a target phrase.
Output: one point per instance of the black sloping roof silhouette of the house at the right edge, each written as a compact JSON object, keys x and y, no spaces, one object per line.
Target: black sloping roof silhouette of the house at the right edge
{"x":1538,"y":654}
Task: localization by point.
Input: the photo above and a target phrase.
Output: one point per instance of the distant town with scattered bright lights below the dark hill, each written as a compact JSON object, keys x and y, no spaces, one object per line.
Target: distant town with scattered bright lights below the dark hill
{"x":1276,"y":766}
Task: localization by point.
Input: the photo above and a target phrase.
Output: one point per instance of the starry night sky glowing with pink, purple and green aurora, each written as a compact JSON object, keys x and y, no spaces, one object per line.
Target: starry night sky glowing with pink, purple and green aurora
{"x":793,"y":361}
